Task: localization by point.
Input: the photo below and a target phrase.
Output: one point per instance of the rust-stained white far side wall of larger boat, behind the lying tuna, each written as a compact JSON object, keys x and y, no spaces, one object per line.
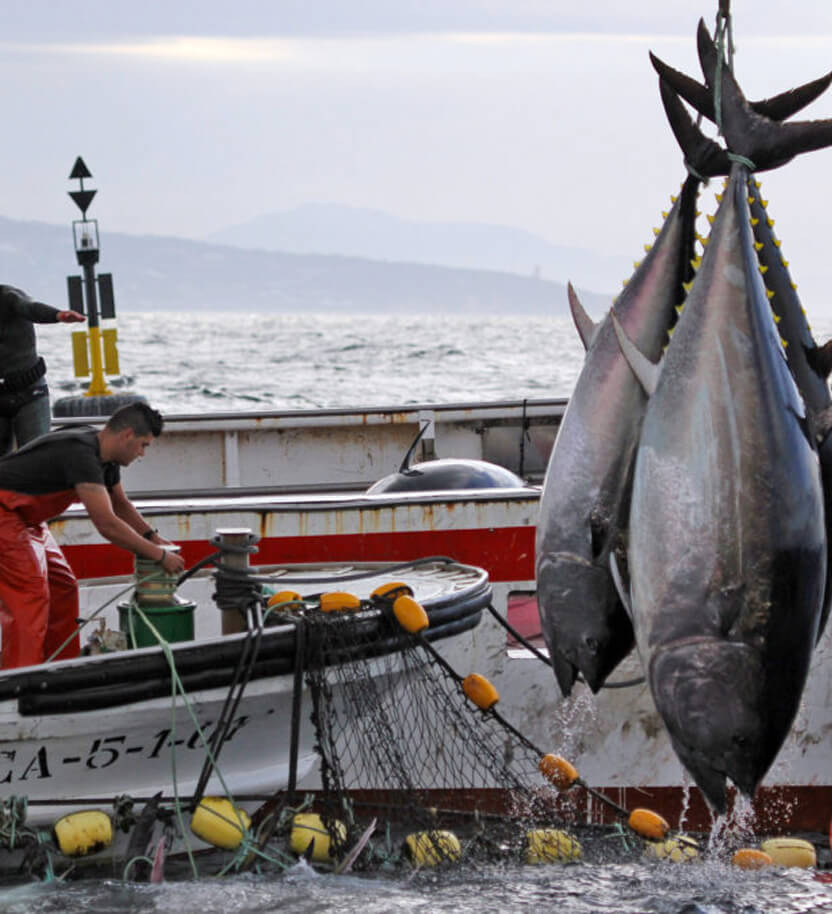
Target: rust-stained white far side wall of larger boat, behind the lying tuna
{"x":337,"y":450}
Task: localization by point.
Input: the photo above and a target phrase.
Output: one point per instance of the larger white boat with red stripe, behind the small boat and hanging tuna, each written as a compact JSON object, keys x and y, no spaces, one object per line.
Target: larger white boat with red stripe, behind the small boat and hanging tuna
{"x":299,"y":480}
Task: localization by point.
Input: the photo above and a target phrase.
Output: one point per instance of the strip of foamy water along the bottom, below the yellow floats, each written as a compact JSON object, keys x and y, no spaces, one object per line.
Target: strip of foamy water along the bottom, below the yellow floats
{"x":658,"y":888}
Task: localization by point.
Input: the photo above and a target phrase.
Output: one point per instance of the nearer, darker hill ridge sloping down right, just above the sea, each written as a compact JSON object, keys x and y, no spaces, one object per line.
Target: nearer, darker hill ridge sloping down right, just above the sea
{"x":172,"y":274}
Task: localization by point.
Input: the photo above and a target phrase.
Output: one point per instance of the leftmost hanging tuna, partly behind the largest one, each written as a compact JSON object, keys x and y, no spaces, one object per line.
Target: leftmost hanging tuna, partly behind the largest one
{"x":586,"y":488}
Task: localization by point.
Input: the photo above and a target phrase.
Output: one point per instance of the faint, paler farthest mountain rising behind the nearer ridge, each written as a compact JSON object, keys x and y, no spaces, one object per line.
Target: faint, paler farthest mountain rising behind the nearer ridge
{"x":354,"y":232}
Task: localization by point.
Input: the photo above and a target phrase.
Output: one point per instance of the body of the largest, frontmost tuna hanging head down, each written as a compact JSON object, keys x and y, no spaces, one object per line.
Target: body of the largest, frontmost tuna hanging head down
{"x":726,"y":552}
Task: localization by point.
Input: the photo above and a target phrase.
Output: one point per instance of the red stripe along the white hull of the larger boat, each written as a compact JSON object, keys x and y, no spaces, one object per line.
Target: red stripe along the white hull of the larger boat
{"x":507,"y":553}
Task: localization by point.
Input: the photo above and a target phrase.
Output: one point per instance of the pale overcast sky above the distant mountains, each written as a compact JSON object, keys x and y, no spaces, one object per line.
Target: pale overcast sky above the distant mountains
{"x":541,"y":115}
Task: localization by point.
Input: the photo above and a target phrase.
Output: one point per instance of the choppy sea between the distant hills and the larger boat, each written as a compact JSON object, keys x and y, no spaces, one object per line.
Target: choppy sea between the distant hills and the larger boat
{"x":197,"y":363}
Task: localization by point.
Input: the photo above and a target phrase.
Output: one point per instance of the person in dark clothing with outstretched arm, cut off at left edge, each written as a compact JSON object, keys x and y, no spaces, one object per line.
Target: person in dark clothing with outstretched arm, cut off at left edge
{"x":24,"y":396}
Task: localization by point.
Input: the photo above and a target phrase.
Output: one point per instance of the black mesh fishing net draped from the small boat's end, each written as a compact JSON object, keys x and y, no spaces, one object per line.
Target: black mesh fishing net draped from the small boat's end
{"x":401,"y":743}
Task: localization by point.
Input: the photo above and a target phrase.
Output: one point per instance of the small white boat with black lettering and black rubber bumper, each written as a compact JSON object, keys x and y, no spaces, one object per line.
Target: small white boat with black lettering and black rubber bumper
{"x":190,"y":697}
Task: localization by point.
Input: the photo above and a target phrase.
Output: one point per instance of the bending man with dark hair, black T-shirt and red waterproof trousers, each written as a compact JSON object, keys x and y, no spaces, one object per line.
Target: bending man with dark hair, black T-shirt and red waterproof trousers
{"x":38,"y":591}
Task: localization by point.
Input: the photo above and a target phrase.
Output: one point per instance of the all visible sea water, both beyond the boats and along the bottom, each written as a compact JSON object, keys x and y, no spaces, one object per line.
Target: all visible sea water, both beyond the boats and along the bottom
{"x":196,"y":363}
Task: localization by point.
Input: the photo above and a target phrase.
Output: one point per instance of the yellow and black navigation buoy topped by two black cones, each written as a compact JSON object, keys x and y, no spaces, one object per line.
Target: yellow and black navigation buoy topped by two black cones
{"x":94,"y":352}
